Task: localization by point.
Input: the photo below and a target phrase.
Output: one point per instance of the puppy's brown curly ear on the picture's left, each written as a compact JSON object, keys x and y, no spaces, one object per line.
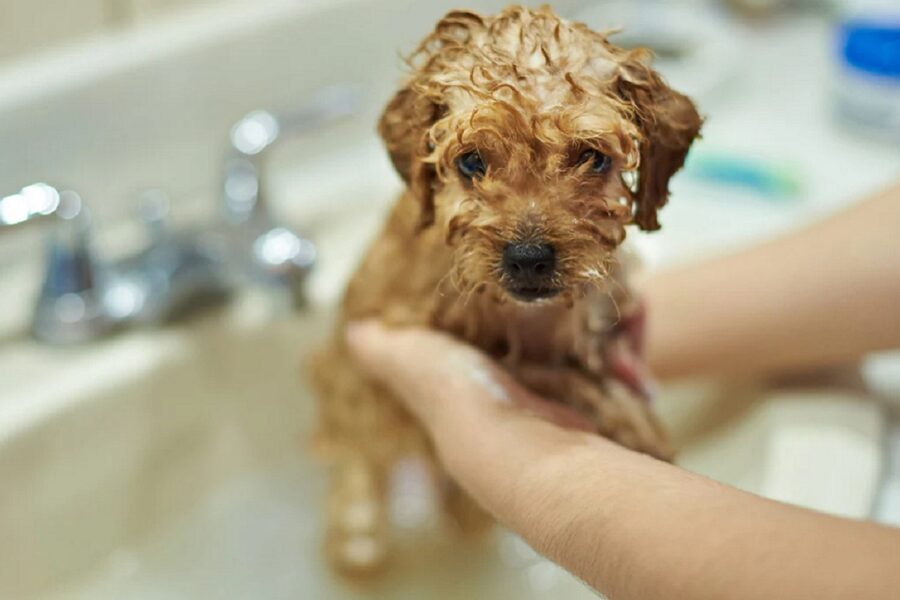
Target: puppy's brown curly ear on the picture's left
{"x":404,"y":128}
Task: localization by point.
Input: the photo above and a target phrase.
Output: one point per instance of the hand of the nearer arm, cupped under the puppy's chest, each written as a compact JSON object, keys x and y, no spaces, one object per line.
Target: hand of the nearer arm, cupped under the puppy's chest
{"x":469,"y":405}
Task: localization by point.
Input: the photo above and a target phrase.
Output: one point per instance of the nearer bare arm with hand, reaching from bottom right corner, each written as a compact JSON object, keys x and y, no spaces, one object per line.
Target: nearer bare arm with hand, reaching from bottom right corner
{"x":630,"y":526}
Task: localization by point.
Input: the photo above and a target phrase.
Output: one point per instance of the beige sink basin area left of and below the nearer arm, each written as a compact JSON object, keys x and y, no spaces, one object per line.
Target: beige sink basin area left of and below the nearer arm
{"x":173,"y":464}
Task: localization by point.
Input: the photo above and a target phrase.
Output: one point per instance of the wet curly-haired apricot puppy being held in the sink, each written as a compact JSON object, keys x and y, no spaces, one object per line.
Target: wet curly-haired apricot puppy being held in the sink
{"x":527,"y":143}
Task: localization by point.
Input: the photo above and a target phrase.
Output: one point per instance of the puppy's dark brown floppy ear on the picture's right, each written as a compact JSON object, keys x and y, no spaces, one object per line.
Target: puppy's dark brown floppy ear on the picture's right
{"x":668,"y":122}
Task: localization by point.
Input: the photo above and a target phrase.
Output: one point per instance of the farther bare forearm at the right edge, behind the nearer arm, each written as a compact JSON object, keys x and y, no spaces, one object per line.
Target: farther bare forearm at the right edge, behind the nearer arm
{"x":823,"y":296}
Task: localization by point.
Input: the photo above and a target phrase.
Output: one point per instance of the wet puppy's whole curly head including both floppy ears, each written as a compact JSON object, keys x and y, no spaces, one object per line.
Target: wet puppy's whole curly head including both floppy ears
{"x":520,"y":136}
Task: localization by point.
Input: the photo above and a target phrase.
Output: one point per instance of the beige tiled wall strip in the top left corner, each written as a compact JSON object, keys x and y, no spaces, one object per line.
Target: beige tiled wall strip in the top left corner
{"x":32,"y":25}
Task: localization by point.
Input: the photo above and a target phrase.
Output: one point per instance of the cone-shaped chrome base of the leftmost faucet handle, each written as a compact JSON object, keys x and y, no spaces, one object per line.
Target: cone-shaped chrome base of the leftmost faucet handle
{"x":70,"y":305}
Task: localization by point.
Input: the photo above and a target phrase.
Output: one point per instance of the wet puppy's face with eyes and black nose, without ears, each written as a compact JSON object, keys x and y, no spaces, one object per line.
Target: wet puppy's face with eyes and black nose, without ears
{"x":531,"y":197}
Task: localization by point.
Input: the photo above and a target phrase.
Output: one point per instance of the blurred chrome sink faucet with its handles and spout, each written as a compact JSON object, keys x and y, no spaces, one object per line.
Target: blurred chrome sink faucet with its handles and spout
{"x":181,"y":269}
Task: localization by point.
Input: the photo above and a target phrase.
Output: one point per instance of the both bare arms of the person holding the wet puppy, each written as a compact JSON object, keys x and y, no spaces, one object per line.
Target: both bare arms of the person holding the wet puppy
{"x":636,"y":528}
